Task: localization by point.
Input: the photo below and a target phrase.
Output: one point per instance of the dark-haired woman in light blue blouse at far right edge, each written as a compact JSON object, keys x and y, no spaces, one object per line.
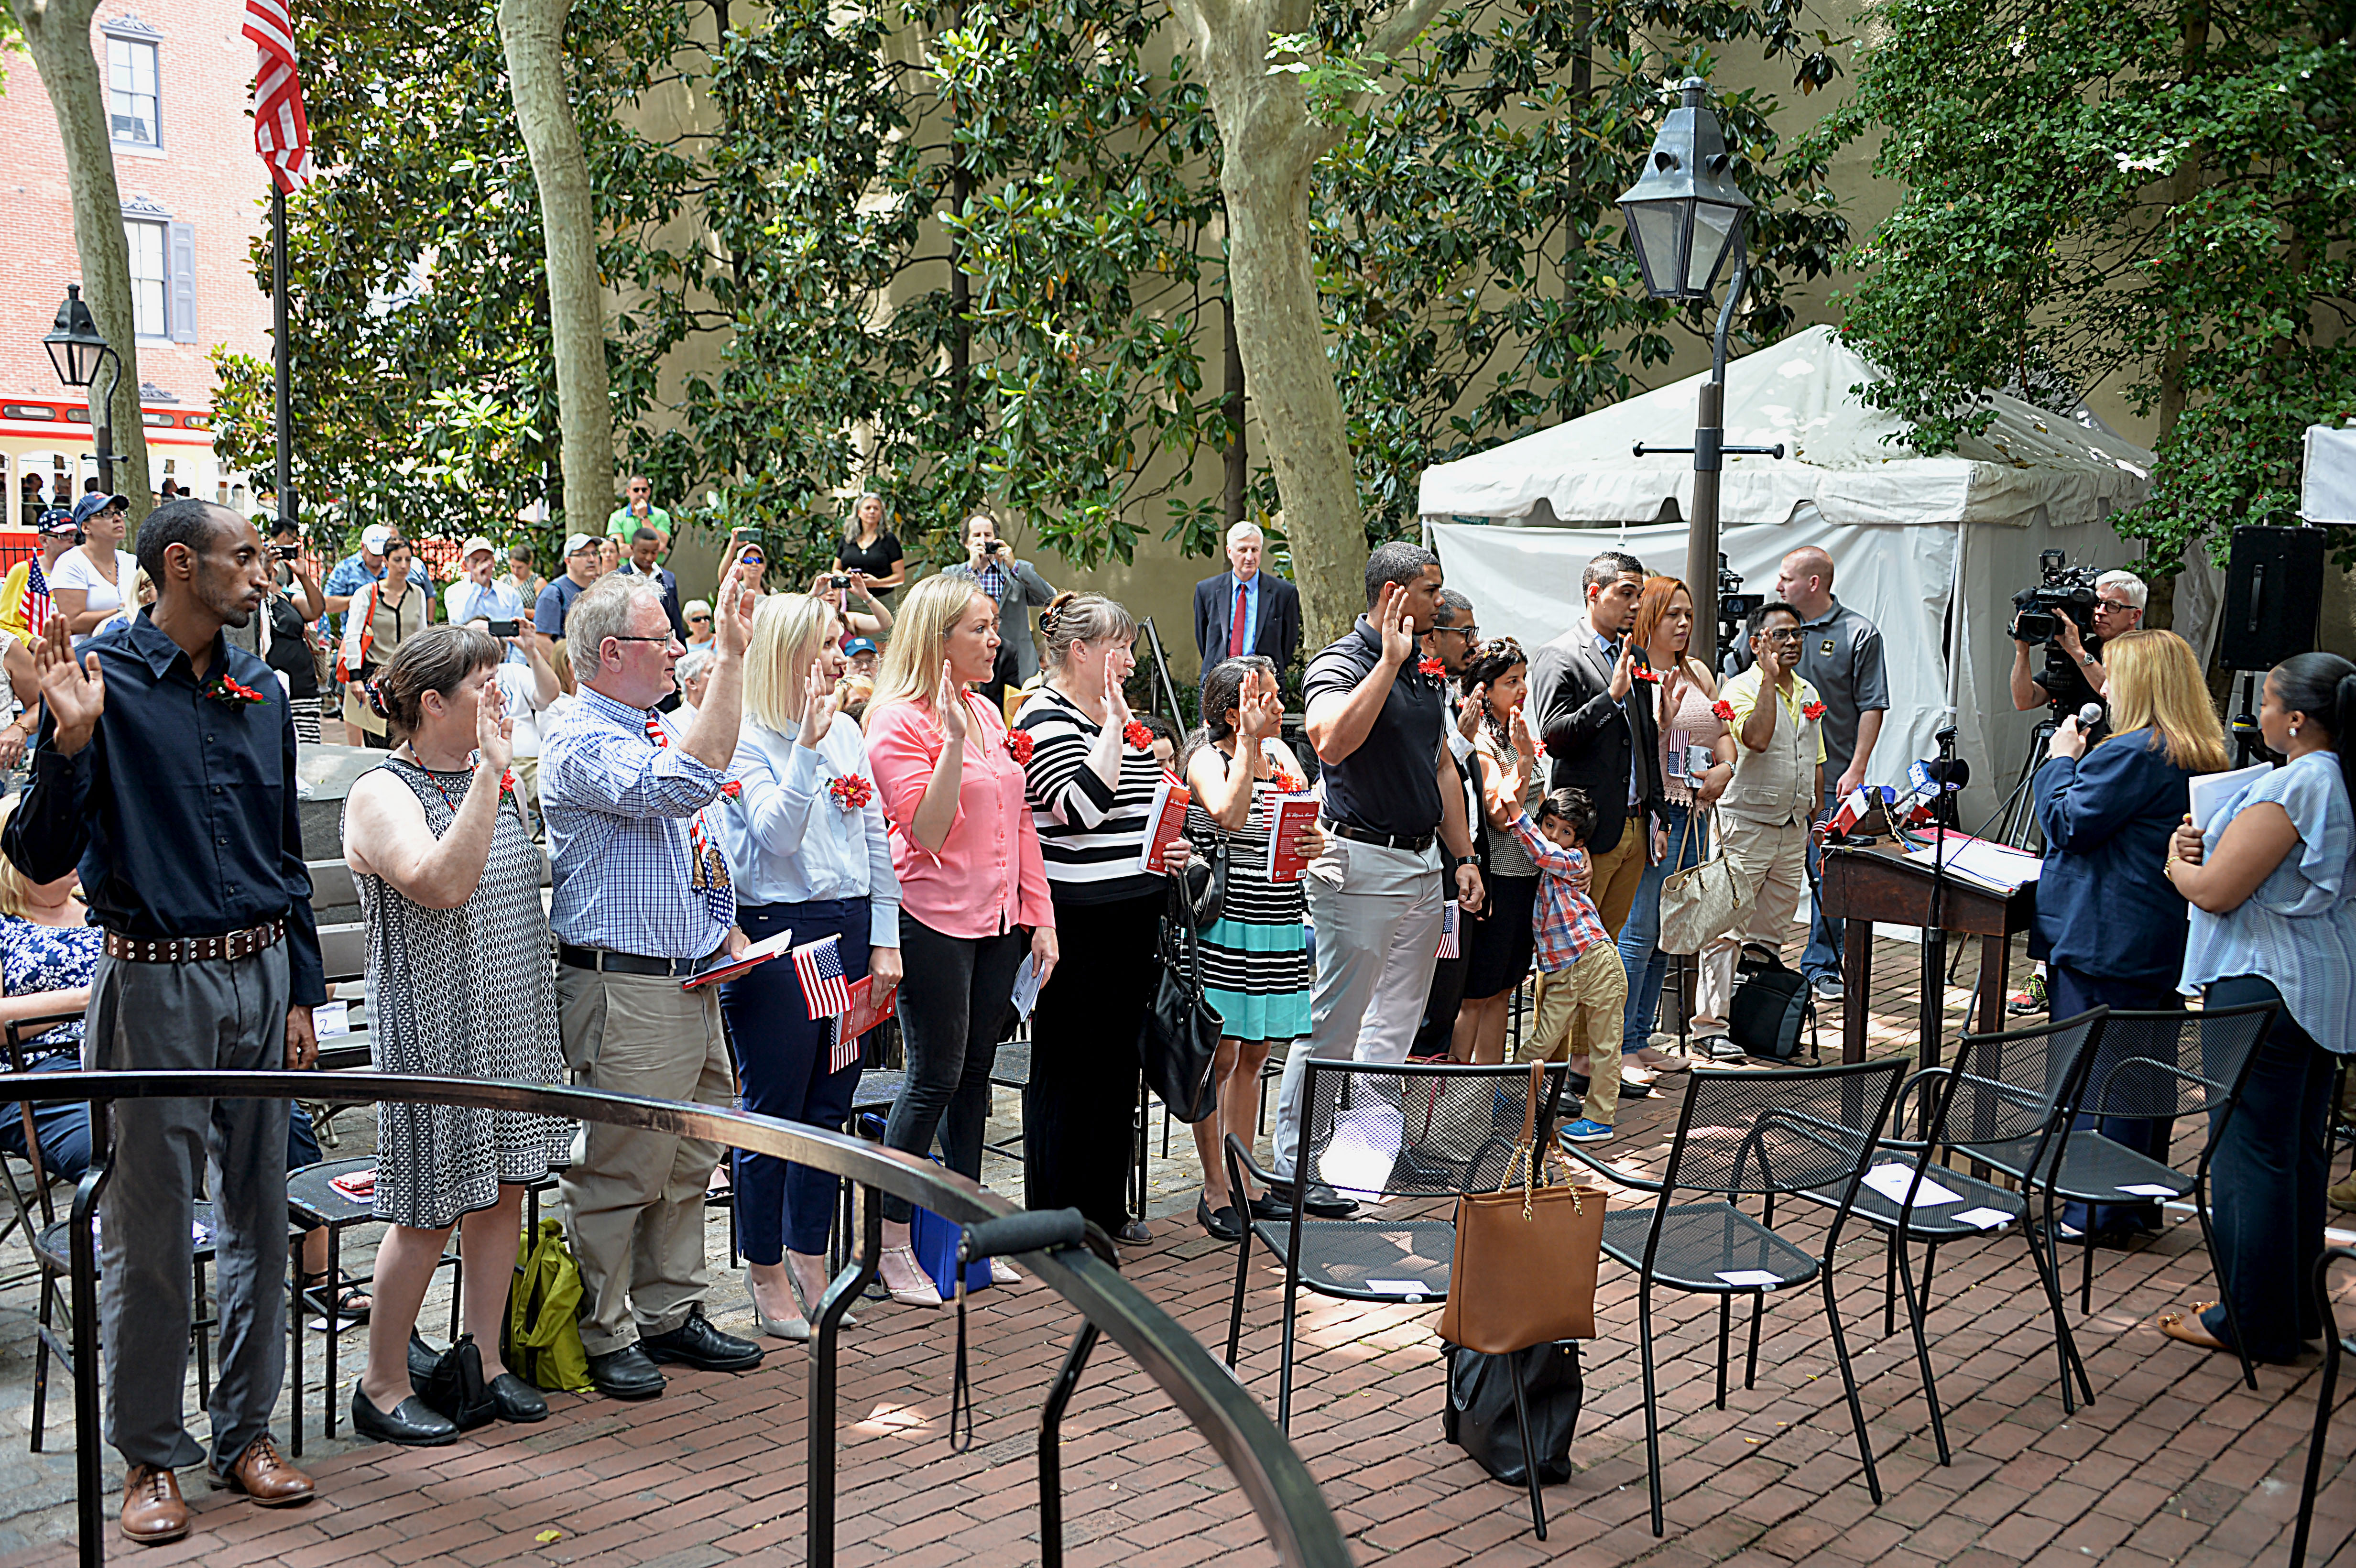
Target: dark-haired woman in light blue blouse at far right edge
{"x":2275,"y":919}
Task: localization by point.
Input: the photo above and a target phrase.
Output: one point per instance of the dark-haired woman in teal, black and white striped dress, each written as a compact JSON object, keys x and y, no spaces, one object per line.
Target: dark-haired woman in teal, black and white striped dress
{"x":1255,"y":957}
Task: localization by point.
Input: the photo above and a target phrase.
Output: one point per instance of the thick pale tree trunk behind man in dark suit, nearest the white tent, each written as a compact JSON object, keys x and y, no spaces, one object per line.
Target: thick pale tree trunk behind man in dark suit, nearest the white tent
{"x":1269,"y":147}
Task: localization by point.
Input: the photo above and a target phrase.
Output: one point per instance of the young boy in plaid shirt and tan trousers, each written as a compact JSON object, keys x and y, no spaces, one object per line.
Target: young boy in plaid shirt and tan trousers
{"x":1582,"y":988}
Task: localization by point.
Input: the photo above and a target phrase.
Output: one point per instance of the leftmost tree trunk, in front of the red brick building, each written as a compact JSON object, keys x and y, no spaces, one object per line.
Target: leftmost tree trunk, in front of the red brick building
{"x":58,"y":36}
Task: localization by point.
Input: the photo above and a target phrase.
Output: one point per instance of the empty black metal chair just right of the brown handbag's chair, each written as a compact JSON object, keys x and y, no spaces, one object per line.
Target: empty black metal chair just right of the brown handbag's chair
{"x":1747,"y":1134}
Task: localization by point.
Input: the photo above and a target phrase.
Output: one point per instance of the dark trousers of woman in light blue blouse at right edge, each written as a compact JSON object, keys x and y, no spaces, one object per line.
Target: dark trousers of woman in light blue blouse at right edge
{"x":2268,"y":1185}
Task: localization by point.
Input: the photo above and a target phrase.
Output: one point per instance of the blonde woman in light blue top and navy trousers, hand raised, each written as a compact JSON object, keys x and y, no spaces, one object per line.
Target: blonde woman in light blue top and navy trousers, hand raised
{"x":809,"y":853}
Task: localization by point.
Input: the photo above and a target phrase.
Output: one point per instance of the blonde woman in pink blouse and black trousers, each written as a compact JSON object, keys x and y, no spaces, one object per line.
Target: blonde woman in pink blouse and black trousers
{"x":972,"y":884}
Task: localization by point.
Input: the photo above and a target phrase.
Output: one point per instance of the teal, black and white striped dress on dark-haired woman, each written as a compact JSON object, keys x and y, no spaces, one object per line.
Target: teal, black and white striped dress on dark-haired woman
{"x":1255,"y":957}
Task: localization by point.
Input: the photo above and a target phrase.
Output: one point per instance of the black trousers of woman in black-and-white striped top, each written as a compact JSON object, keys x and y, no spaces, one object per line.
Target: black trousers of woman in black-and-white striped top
{"x":1083,"y":1096}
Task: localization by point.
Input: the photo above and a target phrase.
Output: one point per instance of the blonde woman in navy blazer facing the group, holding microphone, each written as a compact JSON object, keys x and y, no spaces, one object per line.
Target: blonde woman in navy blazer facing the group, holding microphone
{"x":2110,"y":926}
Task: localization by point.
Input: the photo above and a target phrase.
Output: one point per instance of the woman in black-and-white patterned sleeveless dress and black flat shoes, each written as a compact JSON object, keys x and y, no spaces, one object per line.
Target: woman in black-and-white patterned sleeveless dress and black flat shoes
{"x":458,"y":962}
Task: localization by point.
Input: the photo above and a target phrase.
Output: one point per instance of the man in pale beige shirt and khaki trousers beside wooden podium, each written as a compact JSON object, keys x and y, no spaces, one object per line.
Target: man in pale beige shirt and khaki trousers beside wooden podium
{"x":1766,"y":811}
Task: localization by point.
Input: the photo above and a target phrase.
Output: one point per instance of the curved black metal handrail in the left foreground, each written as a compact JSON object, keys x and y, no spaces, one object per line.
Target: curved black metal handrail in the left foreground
{"x":1273,"y":1477}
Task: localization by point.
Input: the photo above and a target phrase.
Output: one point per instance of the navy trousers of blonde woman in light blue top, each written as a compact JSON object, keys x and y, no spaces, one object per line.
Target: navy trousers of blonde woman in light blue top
{"x":783,"y":1072}
